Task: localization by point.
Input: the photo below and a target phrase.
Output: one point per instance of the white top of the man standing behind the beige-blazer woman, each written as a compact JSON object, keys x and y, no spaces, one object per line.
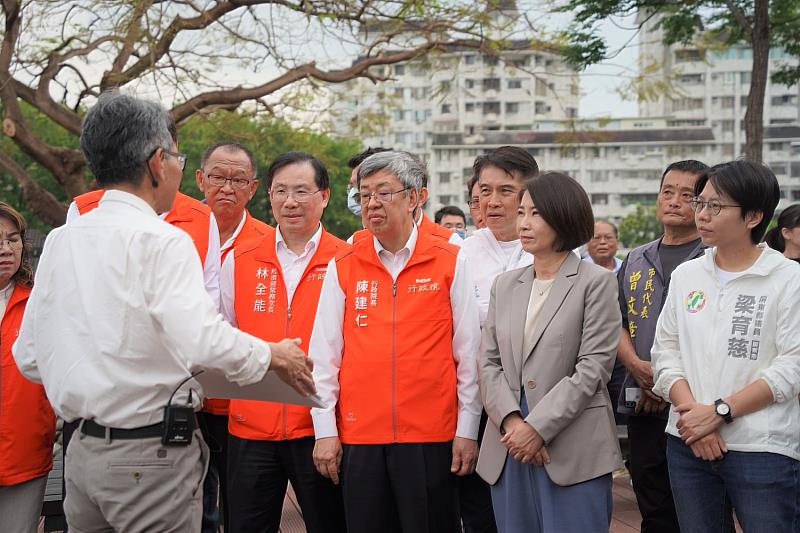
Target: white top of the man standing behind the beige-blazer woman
{"x":488,"y":259}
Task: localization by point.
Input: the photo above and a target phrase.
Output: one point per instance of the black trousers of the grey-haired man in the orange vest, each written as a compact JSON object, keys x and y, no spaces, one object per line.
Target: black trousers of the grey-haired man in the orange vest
{"x":399,"y":488}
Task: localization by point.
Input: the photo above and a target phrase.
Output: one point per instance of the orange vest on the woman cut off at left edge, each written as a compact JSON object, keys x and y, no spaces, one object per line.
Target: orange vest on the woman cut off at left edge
{"x":27,"y":421}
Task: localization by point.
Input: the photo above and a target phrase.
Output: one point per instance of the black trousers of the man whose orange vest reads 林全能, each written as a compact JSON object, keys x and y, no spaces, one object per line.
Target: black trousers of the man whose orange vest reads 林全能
{"x":257,"y":475}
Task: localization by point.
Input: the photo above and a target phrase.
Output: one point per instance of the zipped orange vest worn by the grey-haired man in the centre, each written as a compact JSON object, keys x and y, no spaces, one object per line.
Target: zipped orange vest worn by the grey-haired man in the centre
{"x":397,"y":377}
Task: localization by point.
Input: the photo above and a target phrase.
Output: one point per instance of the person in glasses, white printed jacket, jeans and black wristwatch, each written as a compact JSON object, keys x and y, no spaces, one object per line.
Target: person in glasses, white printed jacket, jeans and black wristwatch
{"x":727,"y":356}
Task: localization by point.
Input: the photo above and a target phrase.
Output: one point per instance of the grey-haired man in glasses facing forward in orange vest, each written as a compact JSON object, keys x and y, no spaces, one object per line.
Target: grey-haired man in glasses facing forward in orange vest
{"x":394,"y":349}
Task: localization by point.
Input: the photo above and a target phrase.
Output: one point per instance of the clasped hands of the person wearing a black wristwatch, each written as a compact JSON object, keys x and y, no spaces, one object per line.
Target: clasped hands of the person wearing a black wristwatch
{"x":698,"y":427}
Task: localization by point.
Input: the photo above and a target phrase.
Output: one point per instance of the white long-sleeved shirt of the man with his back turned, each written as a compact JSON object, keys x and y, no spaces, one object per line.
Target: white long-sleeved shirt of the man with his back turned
{"x":118,"y":318}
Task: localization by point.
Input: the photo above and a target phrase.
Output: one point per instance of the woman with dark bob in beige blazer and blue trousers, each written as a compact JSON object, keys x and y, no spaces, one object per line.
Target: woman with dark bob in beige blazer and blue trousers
{"x":549,"y":345}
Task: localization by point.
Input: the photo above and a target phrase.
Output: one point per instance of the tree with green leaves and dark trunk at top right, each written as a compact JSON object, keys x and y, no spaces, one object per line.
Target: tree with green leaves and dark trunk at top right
{"x":761,"y":24}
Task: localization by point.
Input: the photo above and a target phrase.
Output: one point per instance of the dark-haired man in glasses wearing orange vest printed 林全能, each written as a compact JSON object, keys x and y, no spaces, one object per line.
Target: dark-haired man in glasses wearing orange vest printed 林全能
{"x":270,"y":287}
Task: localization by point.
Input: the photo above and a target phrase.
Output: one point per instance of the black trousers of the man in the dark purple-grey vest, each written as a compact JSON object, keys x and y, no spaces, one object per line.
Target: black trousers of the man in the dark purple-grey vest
{"x":648,"y":468}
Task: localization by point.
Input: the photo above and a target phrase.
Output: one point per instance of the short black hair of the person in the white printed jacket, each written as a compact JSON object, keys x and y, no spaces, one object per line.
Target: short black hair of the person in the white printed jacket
{"x":753,"y":186}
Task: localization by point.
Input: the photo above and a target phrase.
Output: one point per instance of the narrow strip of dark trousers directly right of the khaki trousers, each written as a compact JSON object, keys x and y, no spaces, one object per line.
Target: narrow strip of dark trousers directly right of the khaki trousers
{"x":215,"y":432}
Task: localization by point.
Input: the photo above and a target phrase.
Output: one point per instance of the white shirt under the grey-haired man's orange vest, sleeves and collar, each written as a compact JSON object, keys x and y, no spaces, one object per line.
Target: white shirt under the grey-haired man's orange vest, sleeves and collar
{"x":327,"y":341}
